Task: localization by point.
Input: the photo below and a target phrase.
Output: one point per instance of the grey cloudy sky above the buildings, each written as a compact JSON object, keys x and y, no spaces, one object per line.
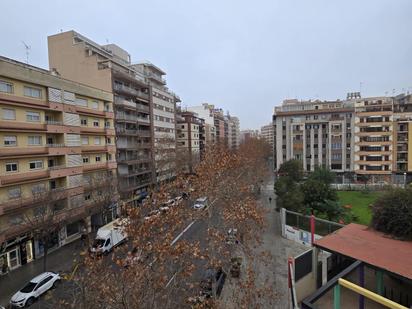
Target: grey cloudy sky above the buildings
{"x":243,"y":56}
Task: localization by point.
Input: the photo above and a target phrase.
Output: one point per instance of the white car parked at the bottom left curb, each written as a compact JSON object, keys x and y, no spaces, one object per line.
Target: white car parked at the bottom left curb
{"x":36,"y":287}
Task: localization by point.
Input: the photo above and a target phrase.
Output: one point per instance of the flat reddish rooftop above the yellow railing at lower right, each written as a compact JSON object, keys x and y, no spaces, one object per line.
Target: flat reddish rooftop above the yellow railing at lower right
{"x":371,"y":247}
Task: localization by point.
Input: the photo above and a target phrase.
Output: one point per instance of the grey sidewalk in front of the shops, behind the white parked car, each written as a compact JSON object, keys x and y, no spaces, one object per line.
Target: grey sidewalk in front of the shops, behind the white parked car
{"x":60,"y":260}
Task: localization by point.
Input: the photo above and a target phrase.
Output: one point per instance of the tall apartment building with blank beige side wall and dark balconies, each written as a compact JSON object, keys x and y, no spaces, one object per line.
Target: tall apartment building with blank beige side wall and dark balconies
{"x":109,"y":67}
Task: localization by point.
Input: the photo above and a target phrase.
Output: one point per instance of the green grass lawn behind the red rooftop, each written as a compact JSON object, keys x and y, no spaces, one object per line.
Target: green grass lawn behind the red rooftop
{"x":359,"y":202}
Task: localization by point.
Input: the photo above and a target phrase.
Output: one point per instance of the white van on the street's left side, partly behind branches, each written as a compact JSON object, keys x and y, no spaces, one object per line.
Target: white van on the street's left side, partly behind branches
{"x":109,"y":236}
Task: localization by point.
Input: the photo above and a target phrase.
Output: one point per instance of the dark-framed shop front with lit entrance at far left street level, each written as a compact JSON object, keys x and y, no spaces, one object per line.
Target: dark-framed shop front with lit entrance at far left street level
{"x":15,"y":253}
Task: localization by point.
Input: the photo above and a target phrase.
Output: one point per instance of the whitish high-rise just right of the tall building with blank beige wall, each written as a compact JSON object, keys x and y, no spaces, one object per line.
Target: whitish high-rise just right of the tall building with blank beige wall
{"x":164,"y":118}
